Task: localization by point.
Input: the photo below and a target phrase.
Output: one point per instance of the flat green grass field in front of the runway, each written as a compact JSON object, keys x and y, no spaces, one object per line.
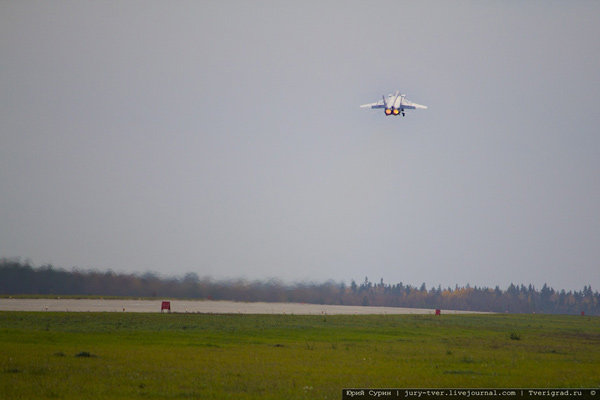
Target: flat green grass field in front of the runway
{"x":127,"y":355}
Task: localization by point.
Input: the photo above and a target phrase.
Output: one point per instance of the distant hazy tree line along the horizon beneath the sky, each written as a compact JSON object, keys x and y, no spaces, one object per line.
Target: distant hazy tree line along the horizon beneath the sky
{"x":21,"y":278}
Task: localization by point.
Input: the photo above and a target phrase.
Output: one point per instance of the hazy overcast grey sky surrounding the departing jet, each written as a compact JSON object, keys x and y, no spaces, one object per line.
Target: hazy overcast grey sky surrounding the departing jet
{"x":224,"y":138}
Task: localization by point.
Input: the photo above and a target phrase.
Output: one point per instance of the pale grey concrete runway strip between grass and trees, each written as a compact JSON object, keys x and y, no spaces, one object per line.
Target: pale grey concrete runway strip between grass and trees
{"x":202,"y":306}
